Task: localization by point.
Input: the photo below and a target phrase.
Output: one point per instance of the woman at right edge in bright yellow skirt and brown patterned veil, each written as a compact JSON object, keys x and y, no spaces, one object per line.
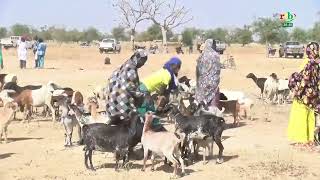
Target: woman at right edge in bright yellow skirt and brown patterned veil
{"x":305,"y":86}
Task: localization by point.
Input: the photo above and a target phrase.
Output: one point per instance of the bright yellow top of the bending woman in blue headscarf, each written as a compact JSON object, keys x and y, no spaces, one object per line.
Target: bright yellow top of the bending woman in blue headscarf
{"x":157,"y":80}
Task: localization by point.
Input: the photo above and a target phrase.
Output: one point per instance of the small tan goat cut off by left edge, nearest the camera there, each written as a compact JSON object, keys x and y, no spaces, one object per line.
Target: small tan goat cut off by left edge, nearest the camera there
{"x":6,"y":115}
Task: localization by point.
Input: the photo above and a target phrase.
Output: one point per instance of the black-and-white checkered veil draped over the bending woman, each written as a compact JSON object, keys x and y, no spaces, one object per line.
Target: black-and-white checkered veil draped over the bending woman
{"x":123,"y":88}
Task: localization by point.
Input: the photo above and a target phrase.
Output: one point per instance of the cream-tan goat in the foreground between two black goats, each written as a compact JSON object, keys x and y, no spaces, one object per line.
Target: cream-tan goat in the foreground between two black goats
{"x":161,"y":143}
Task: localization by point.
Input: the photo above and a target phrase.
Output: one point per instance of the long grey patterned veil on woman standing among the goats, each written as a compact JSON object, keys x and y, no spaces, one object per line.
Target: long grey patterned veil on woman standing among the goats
{"x":208,"y":73}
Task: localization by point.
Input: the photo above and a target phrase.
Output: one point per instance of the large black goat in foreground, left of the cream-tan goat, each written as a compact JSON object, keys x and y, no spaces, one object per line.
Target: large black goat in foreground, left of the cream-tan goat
{"x":103,"y":137}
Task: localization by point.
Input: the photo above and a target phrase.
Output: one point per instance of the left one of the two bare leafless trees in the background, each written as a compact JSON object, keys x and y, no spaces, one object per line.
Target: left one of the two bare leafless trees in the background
{"x":132,"y":12}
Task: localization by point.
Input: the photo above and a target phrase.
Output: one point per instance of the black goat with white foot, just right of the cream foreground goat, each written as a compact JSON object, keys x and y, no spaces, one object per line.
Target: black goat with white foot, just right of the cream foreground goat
{"x":208,"y":123}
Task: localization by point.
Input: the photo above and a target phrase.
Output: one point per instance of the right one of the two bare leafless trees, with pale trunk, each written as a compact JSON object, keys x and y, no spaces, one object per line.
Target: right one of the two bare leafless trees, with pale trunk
{"x":168,"y":15}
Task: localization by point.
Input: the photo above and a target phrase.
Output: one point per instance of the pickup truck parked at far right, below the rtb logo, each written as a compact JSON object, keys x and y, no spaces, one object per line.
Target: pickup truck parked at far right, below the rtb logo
{"x":291,"y":48}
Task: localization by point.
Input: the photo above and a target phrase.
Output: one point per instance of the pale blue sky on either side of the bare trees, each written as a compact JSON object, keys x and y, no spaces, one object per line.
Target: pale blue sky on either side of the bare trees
{"x":100,"y":13}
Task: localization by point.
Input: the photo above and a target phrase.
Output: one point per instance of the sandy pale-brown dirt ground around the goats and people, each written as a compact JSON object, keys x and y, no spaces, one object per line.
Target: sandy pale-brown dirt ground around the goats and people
{"x":258,"y":149}
